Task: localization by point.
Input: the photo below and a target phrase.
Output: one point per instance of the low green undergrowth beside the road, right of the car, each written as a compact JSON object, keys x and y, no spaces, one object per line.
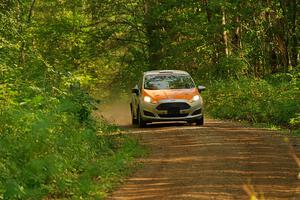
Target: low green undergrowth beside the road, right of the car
{"x":274,"y":100}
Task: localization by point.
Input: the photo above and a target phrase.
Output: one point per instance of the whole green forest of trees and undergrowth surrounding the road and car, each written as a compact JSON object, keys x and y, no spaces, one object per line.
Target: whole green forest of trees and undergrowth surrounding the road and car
{"x":60,"y":58}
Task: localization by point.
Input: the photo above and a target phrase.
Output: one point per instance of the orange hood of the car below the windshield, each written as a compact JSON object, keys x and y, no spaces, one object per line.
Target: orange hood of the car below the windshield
{"x":158,"y":95}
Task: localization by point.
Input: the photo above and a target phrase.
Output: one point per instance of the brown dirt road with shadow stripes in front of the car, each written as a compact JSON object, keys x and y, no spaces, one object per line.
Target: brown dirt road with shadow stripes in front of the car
{"x":220,"y":160}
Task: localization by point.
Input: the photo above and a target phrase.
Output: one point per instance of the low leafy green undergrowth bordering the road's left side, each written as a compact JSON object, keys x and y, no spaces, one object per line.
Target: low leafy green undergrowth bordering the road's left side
{"x":51,"y":148}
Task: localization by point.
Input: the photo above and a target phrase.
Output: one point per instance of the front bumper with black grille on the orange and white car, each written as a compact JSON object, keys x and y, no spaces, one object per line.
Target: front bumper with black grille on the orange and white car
{"x":190,"y":111}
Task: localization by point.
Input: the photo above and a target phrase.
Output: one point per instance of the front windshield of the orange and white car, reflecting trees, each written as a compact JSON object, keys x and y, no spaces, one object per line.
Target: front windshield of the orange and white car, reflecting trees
{"x":168,"y":81}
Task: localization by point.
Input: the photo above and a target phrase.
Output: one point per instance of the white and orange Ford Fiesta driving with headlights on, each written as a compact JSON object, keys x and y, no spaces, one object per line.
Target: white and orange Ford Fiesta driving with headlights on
{"x":167,"y":95}
